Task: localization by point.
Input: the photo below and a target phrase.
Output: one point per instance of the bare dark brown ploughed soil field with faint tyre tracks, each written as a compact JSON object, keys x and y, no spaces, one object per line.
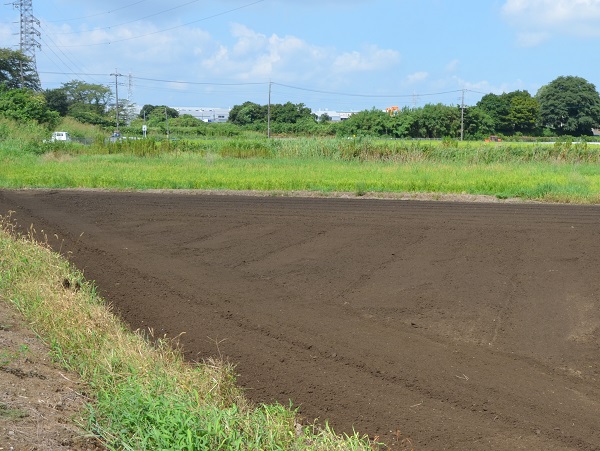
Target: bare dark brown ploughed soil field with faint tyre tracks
{"x":460,"y":325}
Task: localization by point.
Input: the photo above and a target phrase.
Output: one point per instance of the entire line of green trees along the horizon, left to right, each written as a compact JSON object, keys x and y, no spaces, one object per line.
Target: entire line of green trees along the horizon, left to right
{"x":568,"y":105}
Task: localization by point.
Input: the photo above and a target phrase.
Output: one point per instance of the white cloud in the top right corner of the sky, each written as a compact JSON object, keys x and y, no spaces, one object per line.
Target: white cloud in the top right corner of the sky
{"x":538,"y":19}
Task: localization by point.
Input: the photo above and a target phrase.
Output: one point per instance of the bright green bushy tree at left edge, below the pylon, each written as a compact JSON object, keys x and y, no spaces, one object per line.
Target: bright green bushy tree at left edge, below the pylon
{"x":25,"y":105}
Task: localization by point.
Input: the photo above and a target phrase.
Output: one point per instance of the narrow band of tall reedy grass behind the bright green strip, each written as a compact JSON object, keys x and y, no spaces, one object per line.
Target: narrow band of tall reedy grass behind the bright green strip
{"x":367,"y":149}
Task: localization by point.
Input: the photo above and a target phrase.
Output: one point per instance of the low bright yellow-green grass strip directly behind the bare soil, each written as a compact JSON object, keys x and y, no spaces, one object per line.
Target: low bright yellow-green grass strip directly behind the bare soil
{"x":539,"y":180}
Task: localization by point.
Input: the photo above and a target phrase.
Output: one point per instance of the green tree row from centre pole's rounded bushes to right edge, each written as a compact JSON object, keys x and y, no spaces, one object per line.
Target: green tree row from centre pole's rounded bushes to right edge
{"x":568,"y":105}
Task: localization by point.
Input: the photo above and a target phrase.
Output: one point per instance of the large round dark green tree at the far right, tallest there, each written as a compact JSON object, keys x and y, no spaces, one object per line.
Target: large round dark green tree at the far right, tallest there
{"x":569,"y":105}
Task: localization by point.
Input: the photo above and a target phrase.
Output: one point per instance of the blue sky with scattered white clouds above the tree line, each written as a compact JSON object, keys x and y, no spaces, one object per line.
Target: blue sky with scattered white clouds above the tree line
{"x":327,"y":54}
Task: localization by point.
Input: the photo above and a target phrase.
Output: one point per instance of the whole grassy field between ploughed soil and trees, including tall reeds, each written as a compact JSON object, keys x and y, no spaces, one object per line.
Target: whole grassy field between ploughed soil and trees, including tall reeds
{"x":561,"y":172}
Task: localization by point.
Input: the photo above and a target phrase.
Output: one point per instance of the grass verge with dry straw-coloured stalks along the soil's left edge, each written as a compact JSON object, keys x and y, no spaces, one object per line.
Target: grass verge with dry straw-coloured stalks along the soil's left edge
{"x":142,"y":396}
